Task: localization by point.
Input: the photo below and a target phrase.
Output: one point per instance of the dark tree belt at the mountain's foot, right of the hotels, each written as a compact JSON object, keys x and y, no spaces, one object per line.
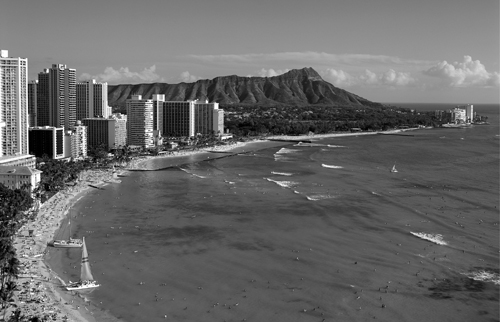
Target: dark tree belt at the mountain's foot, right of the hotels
{"x":292,"y":120}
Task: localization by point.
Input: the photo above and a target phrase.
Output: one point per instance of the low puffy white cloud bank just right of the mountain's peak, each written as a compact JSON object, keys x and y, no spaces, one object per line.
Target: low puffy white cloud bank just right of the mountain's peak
{"x":389,"y":78}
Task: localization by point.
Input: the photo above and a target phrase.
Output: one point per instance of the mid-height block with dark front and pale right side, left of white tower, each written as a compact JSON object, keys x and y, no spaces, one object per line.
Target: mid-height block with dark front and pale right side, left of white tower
{"x":110,"y":132}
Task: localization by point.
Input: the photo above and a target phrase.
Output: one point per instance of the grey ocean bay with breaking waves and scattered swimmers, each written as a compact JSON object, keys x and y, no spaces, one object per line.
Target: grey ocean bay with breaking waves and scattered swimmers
{"x":303,"y":232}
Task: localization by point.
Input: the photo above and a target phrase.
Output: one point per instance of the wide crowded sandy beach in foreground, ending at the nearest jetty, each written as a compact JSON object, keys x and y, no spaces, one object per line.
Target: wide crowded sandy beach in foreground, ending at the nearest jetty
{"x":40,"y":292}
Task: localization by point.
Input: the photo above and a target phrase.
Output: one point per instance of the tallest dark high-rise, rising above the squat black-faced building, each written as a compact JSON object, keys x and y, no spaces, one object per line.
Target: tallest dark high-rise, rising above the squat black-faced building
{"x":56,"y":104}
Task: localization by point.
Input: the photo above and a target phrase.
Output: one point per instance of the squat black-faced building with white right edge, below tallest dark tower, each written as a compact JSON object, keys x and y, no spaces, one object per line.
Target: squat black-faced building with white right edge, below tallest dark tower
{"x":47,"y":141}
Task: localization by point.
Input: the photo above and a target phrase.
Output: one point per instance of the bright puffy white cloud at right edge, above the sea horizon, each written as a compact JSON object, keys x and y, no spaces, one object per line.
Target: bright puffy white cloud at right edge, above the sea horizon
{"x":464,"y":74}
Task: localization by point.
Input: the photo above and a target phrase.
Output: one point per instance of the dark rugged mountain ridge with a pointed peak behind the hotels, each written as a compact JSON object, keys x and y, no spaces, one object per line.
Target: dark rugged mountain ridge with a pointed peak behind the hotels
{"x":297,"y":87}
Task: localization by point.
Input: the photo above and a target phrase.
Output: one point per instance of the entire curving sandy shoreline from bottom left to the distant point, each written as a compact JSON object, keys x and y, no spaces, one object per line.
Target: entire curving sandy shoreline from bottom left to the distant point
{"x":36,"y":277}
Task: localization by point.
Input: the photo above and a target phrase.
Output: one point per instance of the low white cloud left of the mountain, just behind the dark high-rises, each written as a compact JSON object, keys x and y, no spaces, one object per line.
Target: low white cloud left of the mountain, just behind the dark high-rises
{"x":124,"y":75}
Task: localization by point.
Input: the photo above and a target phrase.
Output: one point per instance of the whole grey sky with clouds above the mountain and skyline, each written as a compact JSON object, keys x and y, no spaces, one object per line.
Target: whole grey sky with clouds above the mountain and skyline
{"x":425,"y":51}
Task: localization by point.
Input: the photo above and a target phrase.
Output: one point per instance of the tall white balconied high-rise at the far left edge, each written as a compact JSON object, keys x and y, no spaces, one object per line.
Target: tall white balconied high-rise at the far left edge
{"x":13,"y":105}
